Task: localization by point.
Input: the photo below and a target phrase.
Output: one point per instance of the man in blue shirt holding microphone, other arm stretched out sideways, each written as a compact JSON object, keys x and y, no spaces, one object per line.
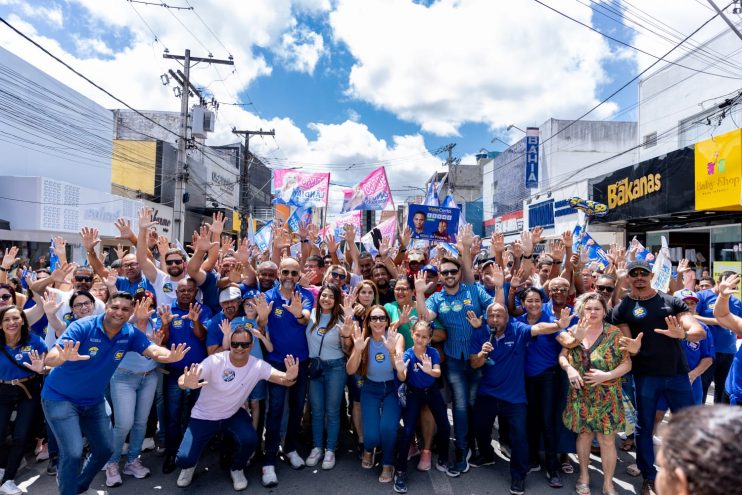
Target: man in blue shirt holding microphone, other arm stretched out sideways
{"x":499,"y":349}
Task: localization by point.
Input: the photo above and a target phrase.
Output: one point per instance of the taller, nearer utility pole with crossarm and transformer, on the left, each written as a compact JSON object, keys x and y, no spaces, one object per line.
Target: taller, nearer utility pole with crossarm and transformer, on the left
{"x":181,"y":172}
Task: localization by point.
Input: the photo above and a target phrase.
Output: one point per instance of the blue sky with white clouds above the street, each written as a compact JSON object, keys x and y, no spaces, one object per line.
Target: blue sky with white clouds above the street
{"x":349,"y":85}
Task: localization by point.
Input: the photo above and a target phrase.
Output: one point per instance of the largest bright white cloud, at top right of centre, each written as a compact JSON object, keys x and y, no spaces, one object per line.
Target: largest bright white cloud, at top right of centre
{"x":476,"y":61}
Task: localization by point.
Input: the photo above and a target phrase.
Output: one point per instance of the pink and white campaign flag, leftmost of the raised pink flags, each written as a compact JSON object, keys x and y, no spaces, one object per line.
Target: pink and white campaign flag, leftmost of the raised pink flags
{"x":303,"y":189}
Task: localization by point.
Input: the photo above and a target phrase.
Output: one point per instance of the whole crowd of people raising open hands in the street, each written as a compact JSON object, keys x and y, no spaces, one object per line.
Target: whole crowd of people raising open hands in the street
{"x":226,"y":341}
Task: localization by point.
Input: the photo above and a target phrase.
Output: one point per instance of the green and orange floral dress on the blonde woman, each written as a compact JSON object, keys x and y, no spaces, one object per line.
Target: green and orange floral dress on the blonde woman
{"x":597,"y":408}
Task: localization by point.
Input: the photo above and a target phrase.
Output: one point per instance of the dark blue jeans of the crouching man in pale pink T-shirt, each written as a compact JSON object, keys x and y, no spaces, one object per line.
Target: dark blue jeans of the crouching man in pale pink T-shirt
{"x":200,"y":431}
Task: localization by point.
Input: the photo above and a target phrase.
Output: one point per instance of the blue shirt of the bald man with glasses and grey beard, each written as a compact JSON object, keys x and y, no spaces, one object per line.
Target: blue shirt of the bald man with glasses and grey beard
{"x":287,"y":334}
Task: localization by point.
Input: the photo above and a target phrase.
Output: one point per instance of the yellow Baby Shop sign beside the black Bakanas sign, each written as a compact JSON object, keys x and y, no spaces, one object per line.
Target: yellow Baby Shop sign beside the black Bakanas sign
{"x":719,"y":172}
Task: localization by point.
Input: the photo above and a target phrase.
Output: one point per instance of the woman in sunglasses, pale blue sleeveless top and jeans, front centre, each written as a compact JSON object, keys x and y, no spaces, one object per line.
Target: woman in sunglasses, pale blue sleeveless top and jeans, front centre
{"x":374,"y":351}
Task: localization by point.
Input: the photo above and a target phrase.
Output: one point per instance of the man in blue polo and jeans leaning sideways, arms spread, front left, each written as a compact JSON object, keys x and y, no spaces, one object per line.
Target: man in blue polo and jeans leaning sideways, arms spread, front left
{"x":85,"y":357}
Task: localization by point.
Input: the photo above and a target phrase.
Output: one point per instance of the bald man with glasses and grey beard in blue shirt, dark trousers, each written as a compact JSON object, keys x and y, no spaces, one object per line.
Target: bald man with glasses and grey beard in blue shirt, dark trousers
{"x":289,"y":306}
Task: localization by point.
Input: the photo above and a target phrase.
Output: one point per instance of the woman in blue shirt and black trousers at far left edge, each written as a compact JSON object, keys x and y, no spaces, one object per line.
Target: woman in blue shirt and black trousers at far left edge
{"x":21,"y":362}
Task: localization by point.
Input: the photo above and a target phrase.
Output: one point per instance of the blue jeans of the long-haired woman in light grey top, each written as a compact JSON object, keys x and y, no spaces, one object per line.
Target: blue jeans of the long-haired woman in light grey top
{"x":325,"y":395}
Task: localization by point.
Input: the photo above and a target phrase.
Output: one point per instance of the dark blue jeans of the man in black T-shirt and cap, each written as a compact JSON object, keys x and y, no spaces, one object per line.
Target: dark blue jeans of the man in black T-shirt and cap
{"x":679,"y":394}
